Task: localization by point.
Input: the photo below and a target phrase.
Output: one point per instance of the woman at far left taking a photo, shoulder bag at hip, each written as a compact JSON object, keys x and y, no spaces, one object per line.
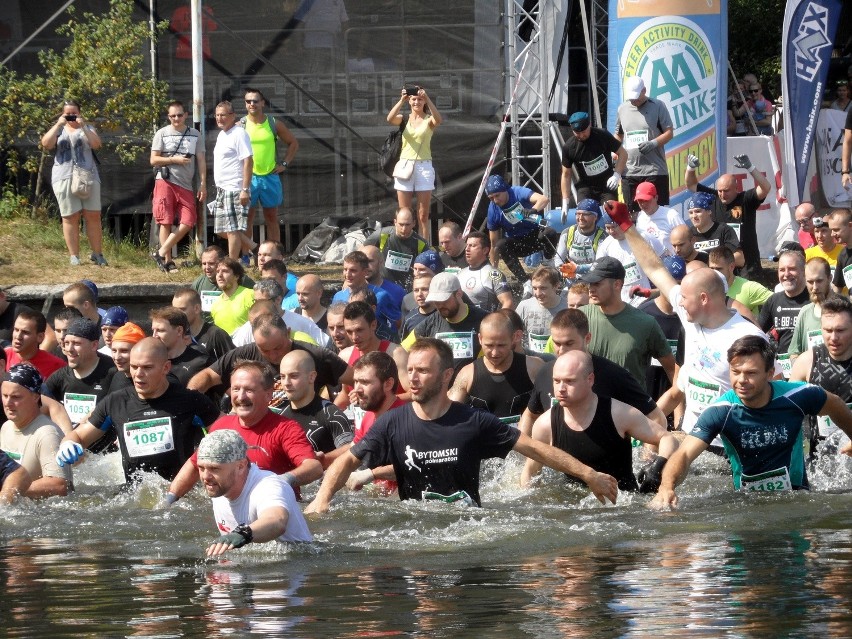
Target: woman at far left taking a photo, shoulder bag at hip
{"x":74,"y":141}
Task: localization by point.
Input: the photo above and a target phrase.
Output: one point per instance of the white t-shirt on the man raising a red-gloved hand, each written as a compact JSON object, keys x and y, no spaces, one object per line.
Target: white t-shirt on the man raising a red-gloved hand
{"x":705,"y":374}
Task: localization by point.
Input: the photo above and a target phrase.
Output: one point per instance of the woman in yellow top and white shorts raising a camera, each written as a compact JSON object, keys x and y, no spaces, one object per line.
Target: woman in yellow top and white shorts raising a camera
{"x":414,"y":172}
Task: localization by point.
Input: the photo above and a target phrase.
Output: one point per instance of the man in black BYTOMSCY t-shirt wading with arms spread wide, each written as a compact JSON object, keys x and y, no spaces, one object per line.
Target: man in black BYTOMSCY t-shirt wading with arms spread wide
{"x":436,"y":446}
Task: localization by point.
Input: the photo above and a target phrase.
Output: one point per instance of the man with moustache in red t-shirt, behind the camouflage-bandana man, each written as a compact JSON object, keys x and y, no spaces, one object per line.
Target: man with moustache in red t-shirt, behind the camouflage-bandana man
{"x":278,"y":444}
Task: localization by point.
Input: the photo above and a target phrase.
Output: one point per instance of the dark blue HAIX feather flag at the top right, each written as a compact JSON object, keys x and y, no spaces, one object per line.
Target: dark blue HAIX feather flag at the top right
{"x":807,"y":41}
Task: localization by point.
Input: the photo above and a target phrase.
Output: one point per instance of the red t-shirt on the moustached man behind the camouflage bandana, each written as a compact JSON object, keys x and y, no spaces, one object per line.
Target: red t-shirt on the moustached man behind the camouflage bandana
{"x":281,"y":443}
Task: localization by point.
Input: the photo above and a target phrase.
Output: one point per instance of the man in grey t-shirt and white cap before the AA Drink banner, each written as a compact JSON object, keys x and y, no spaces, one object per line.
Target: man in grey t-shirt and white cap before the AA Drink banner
{"x":644,"y":126}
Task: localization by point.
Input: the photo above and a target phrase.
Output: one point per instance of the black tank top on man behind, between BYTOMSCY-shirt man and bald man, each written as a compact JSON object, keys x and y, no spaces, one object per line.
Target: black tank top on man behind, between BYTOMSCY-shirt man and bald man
{"x":503,"y":394}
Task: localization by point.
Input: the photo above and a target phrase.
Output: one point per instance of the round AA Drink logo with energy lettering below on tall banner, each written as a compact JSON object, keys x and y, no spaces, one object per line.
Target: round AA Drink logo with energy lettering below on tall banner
{"x":677,"y":61}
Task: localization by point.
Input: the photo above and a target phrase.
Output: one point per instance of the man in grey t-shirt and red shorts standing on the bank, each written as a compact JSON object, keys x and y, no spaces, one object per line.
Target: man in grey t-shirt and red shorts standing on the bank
{"x":176,"y":156}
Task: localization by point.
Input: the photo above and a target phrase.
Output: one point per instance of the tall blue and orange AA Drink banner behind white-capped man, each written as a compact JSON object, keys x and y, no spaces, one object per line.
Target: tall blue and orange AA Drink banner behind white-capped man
{"x":679,"y":48}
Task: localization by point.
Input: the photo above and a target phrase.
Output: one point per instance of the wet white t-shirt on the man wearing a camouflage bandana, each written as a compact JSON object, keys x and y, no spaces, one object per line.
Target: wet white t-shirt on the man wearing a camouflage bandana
{"x":264,"y":489}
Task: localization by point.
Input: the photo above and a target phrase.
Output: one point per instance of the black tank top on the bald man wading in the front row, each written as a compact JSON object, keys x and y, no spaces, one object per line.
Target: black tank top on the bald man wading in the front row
{"x":599,"y":446}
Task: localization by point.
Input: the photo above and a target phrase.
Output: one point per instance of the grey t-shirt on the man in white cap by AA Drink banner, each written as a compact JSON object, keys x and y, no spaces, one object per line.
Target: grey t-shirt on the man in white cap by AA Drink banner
{"x":641,"y":124}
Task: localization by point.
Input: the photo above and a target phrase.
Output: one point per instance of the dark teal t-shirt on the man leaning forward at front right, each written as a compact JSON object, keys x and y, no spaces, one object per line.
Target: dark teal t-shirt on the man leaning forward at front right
{"x":763,"y":439}
